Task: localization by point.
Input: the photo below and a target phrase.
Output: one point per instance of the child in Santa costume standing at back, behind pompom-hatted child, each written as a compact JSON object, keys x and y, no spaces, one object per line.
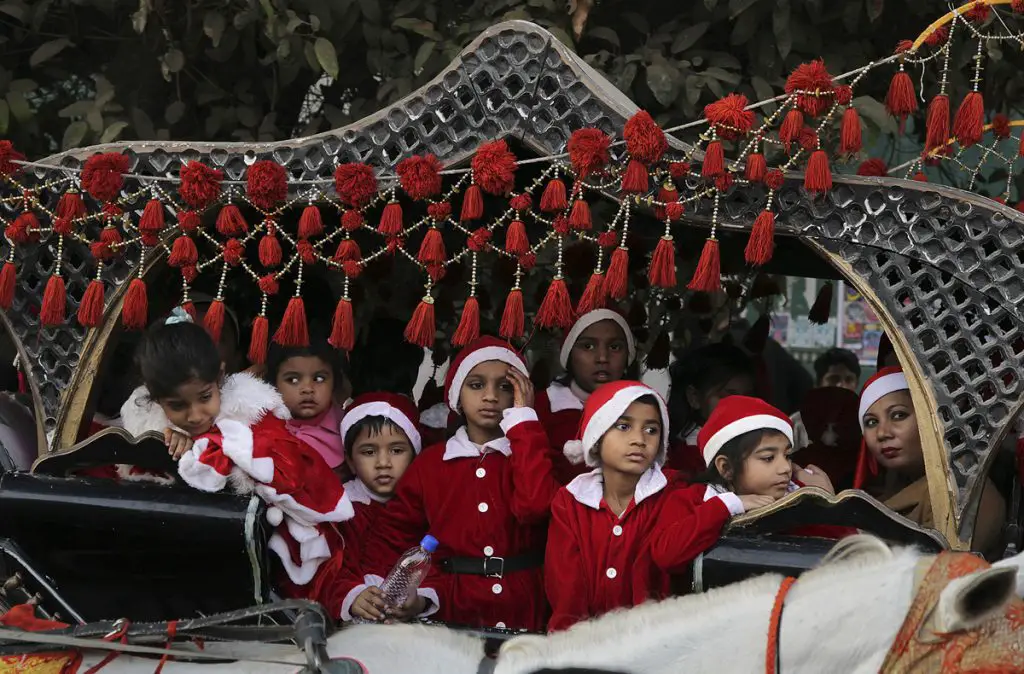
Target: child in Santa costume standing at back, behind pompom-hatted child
{"x":598,"y":350}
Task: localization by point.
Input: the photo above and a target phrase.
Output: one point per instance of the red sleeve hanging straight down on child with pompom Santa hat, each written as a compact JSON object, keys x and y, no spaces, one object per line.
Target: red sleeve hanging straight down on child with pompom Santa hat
{"x":564,"y":569}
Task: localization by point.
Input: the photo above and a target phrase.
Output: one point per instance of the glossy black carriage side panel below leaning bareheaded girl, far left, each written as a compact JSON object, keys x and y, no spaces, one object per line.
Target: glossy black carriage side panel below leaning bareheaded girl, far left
{"x":137,"y":551}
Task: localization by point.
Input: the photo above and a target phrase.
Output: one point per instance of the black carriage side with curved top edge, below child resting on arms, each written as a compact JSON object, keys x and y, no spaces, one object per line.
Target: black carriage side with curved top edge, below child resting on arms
{"x":758,"y":543}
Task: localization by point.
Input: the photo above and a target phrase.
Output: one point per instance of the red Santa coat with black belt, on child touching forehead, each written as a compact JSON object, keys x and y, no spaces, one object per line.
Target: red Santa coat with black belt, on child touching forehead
{"x":491,"y":501}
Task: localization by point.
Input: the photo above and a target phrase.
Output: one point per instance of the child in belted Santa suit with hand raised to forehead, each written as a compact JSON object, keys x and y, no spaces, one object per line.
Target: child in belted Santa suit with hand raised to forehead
{"x":485,"y":495}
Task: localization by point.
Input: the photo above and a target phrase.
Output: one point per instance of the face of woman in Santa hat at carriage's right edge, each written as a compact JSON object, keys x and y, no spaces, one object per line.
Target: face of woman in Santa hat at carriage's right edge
{"x":892,"y":437}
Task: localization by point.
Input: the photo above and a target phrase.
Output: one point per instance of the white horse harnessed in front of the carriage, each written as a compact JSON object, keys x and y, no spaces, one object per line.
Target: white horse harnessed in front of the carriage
{"x":843,"y":616}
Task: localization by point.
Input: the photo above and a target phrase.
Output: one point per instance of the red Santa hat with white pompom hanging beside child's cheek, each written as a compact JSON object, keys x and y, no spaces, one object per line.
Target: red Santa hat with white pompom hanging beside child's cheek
{"x":603,"y":410}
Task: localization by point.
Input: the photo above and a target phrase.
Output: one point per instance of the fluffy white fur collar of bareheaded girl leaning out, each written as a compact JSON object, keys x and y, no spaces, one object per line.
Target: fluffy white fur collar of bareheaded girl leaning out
{"x":243,"y":398}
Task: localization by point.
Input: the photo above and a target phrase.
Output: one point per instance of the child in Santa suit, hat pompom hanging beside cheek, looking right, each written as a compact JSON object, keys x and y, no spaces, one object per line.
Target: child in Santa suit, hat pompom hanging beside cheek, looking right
{"x":613,"y":540}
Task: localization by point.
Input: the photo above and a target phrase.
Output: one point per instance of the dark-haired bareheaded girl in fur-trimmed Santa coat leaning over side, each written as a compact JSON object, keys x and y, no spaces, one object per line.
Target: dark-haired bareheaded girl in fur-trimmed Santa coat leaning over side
{"x":229,"y":433}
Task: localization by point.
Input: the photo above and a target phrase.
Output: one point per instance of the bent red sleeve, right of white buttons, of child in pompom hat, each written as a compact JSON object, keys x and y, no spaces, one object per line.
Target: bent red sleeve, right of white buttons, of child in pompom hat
{"x":688,"y":527}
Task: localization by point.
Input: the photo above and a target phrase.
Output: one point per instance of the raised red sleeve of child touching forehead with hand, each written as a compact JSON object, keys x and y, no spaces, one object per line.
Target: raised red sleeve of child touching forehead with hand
{"x":533,"y":479}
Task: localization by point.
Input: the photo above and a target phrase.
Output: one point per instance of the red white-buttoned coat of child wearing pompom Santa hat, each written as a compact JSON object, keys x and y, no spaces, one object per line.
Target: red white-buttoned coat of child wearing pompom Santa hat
{"x":596,"y":562}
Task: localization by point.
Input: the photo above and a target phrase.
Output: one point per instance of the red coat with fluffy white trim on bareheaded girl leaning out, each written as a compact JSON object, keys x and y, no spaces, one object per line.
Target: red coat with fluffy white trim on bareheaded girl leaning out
{"x":250,"y":450}
